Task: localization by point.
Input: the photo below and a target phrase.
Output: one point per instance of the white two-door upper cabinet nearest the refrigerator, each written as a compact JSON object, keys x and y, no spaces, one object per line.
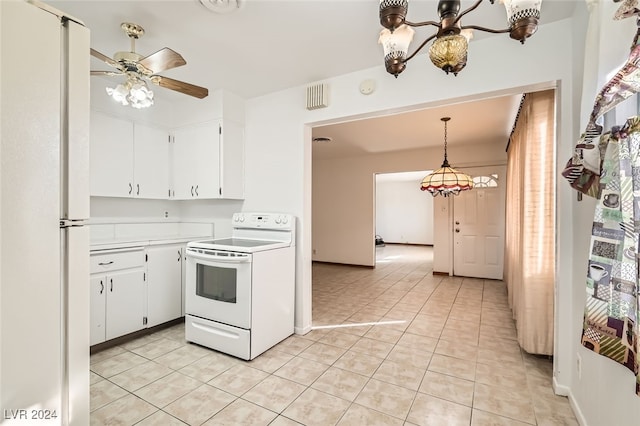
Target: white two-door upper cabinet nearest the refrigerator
{"x":127,"y":159}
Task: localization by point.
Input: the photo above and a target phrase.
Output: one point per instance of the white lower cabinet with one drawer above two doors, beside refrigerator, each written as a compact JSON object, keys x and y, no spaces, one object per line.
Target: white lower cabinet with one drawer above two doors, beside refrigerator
{"x":117,"y":300}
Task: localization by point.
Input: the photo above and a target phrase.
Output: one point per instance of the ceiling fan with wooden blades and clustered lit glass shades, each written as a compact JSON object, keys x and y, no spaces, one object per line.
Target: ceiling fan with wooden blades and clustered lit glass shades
{"x":138,"y":69}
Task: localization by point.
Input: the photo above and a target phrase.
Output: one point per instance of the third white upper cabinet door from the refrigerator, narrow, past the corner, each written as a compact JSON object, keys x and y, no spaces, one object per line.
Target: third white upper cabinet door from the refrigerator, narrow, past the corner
{"x":185,"y":161}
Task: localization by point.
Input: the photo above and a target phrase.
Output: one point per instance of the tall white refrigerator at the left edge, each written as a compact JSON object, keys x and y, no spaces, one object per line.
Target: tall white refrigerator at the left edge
{"x":44,"y":203}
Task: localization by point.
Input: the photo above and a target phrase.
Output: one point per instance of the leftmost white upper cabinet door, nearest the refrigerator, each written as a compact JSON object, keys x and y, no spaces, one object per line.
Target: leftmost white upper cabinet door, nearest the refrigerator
{"x":111,"y":153}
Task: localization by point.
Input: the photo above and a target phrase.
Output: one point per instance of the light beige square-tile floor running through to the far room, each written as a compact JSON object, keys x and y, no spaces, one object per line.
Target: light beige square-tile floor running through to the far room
{"x":444,"y":353}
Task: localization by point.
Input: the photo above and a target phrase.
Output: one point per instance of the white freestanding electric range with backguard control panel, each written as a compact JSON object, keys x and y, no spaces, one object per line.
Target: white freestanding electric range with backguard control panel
{"x":240,"y":291}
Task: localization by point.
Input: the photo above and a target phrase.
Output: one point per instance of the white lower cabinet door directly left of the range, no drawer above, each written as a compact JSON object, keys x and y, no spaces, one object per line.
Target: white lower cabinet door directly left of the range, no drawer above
{"x":164,"y":284}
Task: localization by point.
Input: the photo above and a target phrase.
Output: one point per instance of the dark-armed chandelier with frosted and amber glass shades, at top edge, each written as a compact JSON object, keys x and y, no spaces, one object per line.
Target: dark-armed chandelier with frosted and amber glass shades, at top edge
{"x":449,"y":49}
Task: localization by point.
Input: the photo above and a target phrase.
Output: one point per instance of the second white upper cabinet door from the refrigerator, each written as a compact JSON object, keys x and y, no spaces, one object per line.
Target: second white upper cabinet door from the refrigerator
{"x":151,"y":162}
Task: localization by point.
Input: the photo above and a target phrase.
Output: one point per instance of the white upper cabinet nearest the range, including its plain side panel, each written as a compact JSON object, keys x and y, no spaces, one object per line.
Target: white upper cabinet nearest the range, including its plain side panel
{"x":208,"y":161}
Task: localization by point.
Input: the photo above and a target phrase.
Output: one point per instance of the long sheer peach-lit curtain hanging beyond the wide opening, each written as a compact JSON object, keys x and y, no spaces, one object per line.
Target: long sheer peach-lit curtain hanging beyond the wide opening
{"x":530,"y":222}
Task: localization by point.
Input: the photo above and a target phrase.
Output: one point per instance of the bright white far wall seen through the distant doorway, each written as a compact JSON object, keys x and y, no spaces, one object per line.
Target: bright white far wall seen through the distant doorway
{"x":404,"y":213}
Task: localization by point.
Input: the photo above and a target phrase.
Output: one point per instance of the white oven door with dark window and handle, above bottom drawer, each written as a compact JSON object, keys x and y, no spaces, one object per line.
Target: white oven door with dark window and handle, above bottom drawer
{"x":218,"y":286}
